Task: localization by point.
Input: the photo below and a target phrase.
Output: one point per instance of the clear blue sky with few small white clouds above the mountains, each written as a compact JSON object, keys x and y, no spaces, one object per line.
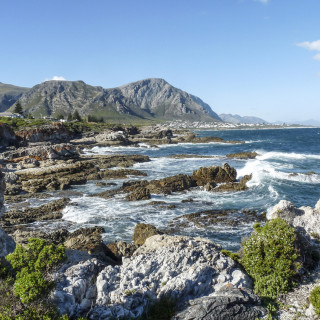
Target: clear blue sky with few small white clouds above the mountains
{"x":248,"y":57}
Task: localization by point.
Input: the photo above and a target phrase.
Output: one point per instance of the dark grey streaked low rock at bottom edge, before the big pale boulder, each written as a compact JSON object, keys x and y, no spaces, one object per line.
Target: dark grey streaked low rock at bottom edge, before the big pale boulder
{"x":229,"y":303}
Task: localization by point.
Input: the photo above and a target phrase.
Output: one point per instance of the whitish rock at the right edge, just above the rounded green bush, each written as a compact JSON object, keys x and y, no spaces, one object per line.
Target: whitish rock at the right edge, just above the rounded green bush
{"x":305,"y":219}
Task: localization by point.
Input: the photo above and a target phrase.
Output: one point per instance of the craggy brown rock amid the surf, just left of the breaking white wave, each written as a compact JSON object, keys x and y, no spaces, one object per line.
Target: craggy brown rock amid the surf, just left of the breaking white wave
{"x":214,"y":174}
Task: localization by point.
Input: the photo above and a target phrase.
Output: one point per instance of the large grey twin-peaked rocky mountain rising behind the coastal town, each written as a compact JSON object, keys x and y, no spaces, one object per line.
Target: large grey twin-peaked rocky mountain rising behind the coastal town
{"x":145,"y":99}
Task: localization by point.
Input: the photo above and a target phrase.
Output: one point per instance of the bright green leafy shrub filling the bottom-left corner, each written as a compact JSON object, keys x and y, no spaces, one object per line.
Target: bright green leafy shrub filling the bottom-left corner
{"x":23,"y":294}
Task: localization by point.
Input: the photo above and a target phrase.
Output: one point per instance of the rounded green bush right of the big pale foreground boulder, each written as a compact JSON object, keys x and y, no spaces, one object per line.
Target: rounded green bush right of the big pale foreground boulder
{"x":269,"y":257}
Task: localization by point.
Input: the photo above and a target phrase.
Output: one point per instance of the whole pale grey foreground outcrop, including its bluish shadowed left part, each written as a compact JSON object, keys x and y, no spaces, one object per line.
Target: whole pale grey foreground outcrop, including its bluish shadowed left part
{"x":191,"y":271}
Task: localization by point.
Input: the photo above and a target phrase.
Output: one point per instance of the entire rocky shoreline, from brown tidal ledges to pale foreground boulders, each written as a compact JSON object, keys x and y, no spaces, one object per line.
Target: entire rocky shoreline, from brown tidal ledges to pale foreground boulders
{"x":119,"y":279}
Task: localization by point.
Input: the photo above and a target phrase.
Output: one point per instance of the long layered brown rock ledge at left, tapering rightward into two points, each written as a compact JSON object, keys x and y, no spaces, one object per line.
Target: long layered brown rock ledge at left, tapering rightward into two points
{"x":60,"y":174}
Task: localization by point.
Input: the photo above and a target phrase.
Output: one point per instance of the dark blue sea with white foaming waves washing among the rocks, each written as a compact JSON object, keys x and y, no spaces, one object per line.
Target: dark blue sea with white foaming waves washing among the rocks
{"x":287,"y":167}
